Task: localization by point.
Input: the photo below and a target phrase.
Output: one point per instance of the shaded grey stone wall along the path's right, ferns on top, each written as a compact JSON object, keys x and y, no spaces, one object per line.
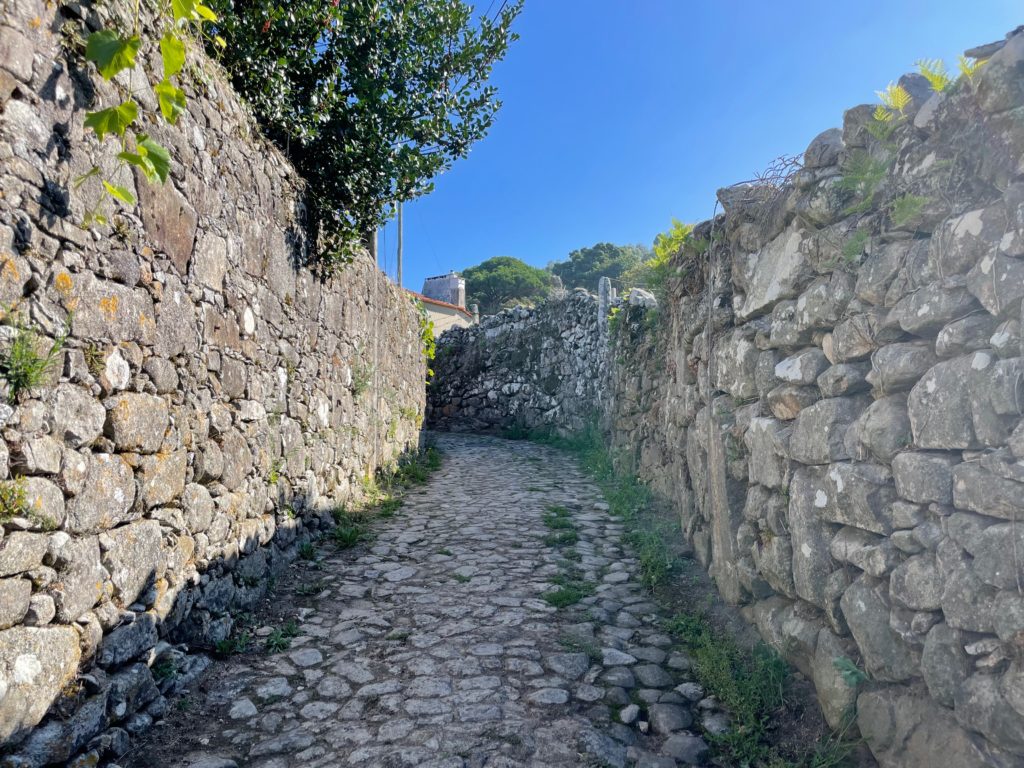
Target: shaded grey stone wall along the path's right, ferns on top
{"x":832,"y":399}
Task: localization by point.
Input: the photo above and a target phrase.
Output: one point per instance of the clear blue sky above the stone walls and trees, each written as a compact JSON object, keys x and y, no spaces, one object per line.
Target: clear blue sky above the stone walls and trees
{"x":621,"y":114}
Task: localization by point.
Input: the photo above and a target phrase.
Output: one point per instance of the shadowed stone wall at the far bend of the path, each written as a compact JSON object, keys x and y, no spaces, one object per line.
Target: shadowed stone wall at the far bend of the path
{"x":522,"y":368}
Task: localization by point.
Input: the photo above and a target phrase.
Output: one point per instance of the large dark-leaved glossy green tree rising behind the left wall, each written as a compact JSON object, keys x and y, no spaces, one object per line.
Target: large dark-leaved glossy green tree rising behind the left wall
{"x":370,"y":99}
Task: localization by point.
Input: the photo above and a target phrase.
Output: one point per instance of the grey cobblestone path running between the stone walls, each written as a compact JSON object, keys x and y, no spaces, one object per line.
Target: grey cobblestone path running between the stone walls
{"x":435,"y":648}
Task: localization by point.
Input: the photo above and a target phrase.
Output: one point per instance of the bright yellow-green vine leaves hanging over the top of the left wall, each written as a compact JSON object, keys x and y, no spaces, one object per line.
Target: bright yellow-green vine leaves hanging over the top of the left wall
{"x":112,"y":53}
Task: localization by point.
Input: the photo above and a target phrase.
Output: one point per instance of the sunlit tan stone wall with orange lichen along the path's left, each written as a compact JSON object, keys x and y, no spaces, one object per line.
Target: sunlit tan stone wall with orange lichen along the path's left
{"x":212,"y":402}
